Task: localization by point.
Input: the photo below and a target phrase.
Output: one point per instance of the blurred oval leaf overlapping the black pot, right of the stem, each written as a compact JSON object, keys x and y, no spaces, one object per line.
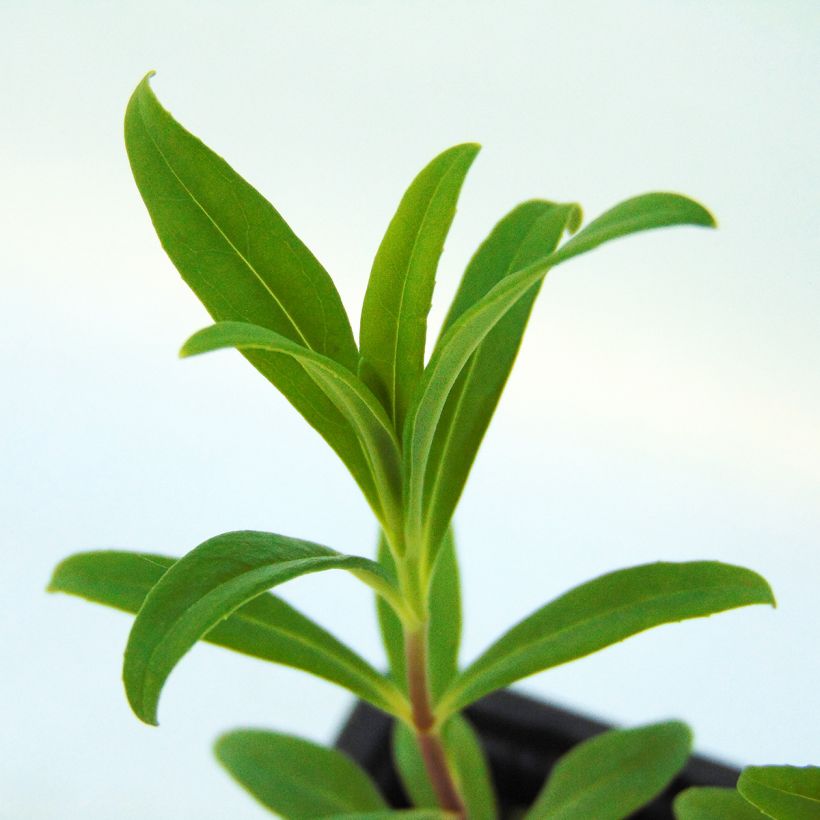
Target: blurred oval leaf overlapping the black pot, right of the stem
{"x":612,"y":775}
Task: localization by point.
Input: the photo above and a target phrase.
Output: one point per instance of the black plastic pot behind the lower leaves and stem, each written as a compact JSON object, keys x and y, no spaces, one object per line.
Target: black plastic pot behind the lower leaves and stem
{"x":523,"y":738}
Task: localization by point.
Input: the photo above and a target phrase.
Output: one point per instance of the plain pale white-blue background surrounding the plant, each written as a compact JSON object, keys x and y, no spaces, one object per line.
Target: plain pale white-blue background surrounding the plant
{"x":664,"y":406}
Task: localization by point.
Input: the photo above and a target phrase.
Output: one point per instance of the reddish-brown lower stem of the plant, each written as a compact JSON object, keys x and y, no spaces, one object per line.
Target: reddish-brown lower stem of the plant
{"x":424,"y":723}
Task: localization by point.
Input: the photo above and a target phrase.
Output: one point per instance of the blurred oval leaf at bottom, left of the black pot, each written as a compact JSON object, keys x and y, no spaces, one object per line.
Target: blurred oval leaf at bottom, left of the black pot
{"x":294,"y":777}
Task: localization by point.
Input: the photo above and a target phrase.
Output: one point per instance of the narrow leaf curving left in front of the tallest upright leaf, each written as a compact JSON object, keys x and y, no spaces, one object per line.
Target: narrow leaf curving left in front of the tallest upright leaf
{"x":351,"y":397}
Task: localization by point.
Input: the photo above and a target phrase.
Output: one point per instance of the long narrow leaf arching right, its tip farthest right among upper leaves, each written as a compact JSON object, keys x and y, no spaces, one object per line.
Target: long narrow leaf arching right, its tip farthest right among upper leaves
{"x":472,"y":327}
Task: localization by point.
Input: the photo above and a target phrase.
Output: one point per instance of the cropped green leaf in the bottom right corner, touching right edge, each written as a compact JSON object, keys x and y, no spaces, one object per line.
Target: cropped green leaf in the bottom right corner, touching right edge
{"x":783,"y":792}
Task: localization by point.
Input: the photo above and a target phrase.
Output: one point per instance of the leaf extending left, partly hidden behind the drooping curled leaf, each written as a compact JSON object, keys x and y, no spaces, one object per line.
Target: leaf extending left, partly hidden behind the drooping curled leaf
{"x":265,"y":627}
